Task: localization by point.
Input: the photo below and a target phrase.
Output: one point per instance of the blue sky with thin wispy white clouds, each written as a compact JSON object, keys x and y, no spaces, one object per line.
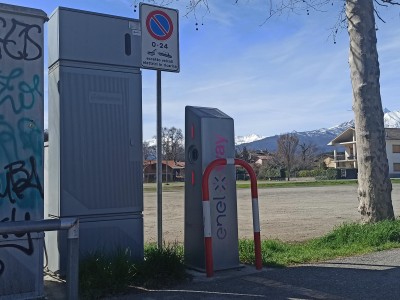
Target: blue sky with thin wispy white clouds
{"x":273,"y":77}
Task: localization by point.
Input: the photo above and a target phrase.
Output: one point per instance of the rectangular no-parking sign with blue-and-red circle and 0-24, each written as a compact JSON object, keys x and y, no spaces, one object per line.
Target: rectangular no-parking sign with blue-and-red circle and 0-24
{"x":160,"y":38}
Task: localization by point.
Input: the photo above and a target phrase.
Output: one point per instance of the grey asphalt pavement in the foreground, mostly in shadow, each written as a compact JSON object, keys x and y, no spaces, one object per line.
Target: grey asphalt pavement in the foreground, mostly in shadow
{"x":371,"y":276}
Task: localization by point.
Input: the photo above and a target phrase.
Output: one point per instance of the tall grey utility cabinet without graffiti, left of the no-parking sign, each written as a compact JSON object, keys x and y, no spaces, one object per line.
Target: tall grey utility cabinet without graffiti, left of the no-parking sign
{"x":95,"y":133}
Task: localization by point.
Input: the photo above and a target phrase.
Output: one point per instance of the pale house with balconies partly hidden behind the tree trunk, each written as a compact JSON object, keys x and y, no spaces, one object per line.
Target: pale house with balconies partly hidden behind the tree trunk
{"x":348,"y":160}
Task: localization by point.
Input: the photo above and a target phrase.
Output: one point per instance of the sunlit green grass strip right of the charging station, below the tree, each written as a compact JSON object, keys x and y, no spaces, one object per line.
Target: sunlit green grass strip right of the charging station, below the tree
{"x":345,"y":240}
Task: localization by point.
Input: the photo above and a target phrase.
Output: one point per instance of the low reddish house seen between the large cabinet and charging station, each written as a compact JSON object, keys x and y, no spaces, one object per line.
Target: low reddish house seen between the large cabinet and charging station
{"x":171,"y":171}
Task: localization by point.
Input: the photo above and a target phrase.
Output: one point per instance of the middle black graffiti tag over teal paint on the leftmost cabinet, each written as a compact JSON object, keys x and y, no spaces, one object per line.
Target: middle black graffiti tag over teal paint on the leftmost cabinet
{"x":19,"y":178}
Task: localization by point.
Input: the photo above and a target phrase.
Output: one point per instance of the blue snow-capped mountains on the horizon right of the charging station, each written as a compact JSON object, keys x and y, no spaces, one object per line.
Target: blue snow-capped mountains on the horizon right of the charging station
{"x":319,"y":137}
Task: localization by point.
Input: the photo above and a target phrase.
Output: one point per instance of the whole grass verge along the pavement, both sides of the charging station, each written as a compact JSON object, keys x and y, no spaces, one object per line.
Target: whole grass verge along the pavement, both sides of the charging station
{"x":102,"y":275}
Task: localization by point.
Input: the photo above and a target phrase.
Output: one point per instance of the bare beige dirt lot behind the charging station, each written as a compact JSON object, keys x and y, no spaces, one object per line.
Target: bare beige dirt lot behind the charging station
{"x":288,"y":214}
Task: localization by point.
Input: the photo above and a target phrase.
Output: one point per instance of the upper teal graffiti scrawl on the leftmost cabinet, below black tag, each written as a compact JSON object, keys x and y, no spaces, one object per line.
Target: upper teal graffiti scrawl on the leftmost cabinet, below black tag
{"x":26,"y":92}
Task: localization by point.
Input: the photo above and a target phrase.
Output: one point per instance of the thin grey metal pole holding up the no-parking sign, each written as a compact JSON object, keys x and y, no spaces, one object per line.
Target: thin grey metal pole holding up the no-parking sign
{"x":159,"y":163}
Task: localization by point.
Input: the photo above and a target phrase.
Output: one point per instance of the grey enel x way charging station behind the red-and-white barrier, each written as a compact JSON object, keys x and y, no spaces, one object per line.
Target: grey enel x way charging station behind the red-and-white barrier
{"x":209,"y":134}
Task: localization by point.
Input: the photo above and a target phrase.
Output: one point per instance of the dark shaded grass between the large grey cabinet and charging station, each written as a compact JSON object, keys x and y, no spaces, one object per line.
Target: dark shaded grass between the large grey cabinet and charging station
{"x":103,"y":275}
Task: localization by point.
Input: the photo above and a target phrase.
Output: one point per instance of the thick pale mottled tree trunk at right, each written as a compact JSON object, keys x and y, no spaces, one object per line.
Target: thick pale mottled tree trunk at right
{"x":374,"y":186}
